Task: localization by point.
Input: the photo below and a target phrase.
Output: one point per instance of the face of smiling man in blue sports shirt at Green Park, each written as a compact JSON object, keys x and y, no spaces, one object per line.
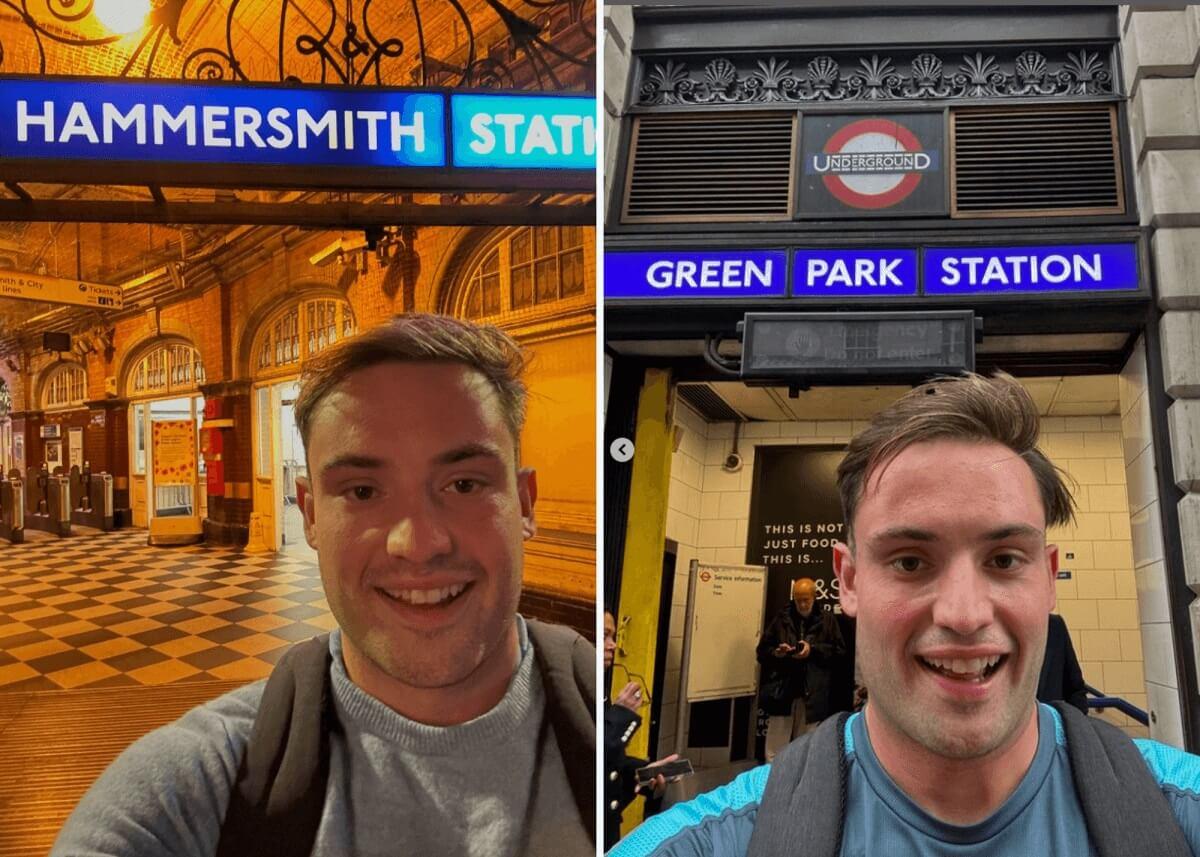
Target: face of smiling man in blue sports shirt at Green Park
{"x":952,"y":582}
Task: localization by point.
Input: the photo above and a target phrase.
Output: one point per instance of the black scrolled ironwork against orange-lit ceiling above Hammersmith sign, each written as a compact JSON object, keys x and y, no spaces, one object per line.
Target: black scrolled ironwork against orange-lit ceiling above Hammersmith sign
{"x":359,"y":43}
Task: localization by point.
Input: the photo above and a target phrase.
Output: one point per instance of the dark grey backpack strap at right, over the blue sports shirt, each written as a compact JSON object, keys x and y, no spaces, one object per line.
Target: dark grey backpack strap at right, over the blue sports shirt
{"x":1124,"y":807}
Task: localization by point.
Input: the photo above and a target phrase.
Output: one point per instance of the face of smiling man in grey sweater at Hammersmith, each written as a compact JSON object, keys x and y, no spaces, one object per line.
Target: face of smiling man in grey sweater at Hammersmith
{"x":418,"y":514}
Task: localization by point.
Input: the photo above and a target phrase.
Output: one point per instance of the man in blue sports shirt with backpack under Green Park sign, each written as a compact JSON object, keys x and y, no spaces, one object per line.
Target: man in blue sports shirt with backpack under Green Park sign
{"x":946,"y":567}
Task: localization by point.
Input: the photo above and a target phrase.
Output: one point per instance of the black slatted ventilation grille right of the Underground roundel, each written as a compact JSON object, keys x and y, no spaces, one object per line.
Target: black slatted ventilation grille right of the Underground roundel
{"x":1055,"y":161}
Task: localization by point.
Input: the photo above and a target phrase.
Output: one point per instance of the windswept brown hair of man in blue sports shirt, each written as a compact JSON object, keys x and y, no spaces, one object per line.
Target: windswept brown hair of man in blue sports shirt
{"x":971,"y":407}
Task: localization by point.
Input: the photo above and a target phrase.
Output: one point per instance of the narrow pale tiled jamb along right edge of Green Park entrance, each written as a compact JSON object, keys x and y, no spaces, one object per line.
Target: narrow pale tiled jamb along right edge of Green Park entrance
{"x":1150,"y":571}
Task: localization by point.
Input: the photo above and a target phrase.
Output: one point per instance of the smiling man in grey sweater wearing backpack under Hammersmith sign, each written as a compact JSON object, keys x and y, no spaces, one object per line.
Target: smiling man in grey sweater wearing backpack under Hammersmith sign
{"x":435,"y":720}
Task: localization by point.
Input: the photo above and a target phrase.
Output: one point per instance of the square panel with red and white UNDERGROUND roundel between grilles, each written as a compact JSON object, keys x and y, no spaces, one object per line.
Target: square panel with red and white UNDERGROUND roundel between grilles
{"x":873,"y":166}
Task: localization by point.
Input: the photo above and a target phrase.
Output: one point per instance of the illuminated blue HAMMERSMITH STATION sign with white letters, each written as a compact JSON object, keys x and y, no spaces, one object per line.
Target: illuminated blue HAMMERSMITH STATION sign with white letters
{"x":256,"y":127}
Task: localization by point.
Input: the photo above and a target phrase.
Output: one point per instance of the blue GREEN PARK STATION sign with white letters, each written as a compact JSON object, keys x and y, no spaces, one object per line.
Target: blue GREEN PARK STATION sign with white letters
{"x":871,"y":273}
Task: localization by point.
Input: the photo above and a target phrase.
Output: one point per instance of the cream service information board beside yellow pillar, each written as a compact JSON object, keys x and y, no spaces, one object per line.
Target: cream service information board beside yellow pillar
{"x":725,"y":607}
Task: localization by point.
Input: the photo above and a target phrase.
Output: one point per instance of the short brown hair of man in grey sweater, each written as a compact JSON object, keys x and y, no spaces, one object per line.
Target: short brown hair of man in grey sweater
{"x":419,"y":338}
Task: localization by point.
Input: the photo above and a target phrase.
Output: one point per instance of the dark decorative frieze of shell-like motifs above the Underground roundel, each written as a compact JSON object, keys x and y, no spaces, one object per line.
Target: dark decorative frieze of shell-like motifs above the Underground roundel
{"x":857,"y":79}
